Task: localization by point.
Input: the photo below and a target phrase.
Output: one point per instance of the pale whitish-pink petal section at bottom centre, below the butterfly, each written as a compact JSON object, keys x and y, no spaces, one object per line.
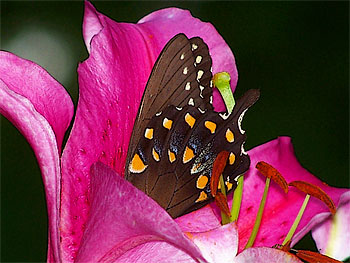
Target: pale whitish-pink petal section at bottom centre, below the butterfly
{"x":219,"y":245}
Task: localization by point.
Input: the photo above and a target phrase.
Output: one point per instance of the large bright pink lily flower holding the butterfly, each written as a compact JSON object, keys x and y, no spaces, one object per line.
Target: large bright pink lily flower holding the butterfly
{"x":94,"y":214}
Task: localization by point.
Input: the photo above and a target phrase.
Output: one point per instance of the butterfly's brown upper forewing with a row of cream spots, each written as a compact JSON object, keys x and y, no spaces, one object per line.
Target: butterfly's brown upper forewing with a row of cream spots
{"x":181,"y":75}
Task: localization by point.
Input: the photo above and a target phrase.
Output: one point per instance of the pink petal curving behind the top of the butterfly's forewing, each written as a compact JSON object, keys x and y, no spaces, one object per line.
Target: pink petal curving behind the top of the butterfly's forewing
{"x":162,"y":23}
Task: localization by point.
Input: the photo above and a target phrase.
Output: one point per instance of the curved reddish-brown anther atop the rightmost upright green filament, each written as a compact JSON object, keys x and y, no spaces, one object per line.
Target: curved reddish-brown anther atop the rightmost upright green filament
{"x":315,"y":191}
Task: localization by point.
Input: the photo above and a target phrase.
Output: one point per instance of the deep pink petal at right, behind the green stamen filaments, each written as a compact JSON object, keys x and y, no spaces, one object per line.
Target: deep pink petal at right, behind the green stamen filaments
{"x":280,"y":210}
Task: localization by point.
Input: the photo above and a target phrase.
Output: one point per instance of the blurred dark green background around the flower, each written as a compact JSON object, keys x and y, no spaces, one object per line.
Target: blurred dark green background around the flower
{"x":296,"y":53}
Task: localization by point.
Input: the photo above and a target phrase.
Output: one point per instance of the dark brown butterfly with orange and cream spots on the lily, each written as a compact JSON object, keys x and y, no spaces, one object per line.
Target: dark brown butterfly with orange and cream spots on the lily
{"x":177,"y":134}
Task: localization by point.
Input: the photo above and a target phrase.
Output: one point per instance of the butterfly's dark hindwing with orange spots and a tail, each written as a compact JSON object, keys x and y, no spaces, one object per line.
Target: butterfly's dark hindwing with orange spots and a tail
{"x":173,"y":160}
